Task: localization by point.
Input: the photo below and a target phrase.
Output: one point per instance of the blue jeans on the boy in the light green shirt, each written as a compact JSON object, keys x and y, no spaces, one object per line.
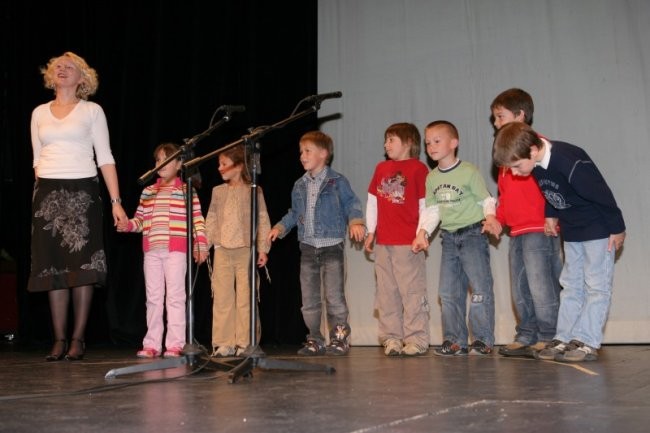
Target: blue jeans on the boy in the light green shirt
{"x":465,"y":262}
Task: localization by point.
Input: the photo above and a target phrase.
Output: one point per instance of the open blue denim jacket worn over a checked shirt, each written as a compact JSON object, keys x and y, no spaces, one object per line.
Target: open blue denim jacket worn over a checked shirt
{"x":337,"y":206}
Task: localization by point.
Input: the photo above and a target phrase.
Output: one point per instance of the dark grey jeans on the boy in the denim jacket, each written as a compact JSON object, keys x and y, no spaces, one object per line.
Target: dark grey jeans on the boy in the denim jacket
{"x":328,"y":263}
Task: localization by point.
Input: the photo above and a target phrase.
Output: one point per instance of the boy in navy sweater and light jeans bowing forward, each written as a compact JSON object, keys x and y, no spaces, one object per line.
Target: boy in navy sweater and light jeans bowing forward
{"x":592,"y":227}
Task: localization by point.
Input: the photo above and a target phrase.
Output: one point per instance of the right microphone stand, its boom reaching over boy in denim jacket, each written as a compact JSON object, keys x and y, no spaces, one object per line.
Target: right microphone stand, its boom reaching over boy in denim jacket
{"x":253,"y":354}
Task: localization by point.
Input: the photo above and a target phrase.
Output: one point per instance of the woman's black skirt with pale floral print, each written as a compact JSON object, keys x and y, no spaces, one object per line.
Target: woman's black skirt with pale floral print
{"x":67,"y":235}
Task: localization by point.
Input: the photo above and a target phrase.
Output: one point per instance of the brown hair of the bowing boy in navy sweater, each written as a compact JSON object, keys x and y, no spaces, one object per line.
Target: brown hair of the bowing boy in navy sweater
{"x":513,"y":142}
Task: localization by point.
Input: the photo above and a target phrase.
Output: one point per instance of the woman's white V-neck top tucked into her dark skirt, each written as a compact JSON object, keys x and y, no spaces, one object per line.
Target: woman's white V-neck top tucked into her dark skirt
{"x":67,"y":148}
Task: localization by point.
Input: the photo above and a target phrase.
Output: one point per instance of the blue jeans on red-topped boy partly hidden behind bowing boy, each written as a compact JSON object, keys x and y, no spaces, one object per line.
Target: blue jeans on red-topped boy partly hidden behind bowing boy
{"x":535,"y":266}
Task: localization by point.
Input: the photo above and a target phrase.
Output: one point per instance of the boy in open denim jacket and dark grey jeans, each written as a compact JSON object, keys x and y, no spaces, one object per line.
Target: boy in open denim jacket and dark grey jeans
{"x":323,"y":205}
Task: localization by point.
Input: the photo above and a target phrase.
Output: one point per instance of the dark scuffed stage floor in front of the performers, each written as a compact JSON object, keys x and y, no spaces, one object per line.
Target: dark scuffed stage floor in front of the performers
{"x":367,"y":392}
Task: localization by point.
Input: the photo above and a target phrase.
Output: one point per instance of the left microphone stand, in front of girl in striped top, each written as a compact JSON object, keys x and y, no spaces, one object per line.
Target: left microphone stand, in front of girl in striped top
{"x":191,"y":350}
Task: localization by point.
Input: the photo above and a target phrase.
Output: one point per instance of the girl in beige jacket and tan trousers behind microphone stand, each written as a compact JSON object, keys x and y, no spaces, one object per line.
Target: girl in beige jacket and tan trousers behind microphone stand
{"x":228,"y":229}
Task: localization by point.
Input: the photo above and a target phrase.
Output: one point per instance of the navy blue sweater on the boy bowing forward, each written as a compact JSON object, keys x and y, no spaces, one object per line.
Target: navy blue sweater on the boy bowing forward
{"x":577,"y":194}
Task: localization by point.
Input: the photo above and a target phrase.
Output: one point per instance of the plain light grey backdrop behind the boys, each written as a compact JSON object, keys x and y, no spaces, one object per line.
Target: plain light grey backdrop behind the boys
{"x":585,"y":62}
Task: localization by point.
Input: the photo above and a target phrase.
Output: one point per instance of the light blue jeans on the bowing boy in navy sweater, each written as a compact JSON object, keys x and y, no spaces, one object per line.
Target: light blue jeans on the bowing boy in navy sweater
{"x":587,"y":279}
